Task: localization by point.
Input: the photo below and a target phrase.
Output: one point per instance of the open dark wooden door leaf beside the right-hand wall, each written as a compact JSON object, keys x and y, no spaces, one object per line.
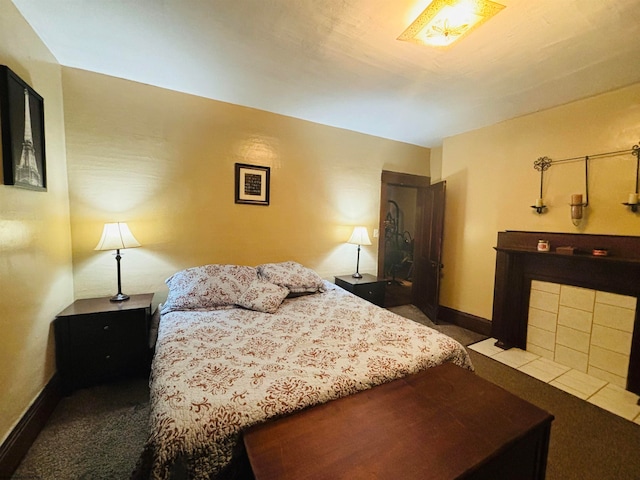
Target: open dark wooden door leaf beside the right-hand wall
{"x":428,"y":249}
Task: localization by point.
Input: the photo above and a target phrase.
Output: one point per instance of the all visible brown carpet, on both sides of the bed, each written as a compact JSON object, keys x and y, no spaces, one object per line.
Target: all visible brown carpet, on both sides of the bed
{"x":98,"y":433}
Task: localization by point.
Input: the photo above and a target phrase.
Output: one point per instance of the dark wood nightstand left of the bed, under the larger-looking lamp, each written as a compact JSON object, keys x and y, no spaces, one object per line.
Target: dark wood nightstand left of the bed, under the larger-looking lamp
{"x":98,"y":340}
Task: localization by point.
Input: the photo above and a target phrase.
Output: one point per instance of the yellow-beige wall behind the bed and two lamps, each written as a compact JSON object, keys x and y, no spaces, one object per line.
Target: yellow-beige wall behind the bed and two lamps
{"x":164,"y":162}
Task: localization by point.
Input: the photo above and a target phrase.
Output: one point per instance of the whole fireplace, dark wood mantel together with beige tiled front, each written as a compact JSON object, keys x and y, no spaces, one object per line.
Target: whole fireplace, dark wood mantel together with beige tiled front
{"x":527,"y":280}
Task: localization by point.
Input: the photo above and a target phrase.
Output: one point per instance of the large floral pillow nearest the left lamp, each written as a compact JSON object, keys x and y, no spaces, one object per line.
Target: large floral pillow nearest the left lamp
{"x":207,"y":287}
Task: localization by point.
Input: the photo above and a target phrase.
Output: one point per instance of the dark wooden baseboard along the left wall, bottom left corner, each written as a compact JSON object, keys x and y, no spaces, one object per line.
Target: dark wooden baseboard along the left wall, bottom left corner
{"x":17,"y":444}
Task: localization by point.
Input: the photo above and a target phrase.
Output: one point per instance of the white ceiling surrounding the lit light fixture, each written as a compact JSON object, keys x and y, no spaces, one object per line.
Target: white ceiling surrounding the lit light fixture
{"x":337,"y":62}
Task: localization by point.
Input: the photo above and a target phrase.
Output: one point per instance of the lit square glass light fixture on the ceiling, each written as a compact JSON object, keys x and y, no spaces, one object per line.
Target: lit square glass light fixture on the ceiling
{"x":445,"y":21}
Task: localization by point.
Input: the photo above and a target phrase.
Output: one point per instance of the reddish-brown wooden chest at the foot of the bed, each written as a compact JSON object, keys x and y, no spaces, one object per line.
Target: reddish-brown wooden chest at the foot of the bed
{"x":442,"y":423}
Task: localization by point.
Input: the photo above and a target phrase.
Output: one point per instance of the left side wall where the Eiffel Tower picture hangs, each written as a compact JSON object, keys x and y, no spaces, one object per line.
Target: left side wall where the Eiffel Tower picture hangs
{"x":35,"y":248}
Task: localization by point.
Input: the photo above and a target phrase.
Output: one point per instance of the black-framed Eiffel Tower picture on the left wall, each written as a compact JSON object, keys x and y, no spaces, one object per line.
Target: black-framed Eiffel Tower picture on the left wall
{"x":23,"y":146}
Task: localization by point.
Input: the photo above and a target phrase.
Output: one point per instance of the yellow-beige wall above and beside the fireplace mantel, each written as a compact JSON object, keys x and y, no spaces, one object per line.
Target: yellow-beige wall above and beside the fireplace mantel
{"x":491,"y":184}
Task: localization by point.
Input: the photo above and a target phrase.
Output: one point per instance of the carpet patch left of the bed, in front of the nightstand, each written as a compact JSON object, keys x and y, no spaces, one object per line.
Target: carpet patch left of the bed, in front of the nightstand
{"x":95,"y":434}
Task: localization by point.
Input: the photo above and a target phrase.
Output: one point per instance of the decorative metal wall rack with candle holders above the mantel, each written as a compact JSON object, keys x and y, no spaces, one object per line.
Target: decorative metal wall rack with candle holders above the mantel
{"x":543,"y":164}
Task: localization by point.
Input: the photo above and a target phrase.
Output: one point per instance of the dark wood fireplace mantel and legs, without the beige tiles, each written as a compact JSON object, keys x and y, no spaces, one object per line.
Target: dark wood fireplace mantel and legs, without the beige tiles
{"x":518,"y":263}
